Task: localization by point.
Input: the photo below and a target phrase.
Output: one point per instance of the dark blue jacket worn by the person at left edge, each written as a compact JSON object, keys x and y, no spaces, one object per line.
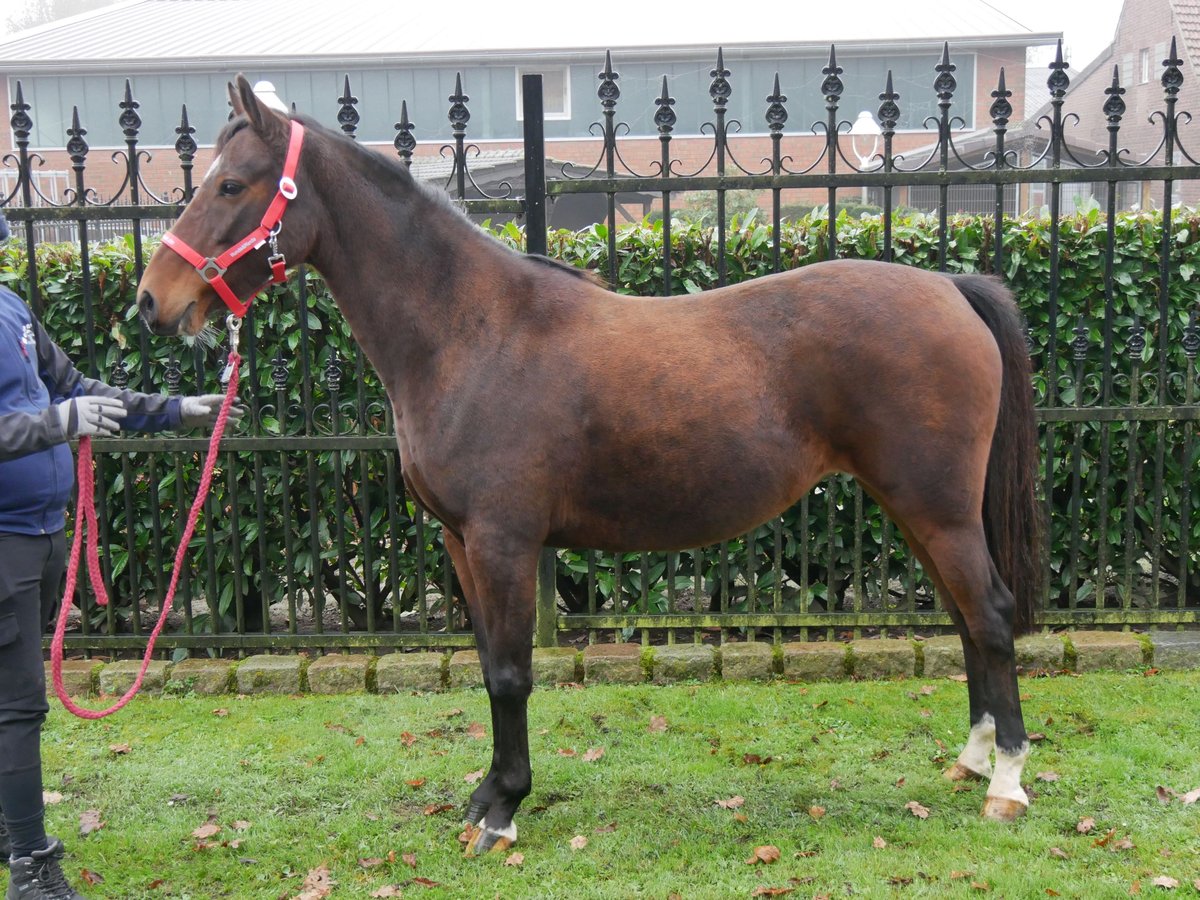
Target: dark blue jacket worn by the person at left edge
{"x":37,"y":471}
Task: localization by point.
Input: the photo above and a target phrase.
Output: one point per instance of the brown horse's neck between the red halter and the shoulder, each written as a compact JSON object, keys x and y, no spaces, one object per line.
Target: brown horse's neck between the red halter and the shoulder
{"x":409,"y":272}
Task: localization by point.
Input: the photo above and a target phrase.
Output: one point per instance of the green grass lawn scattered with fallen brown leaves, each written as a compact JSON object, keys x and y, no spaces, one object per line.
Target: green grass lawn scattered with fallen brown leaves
{"x":374,"y":788}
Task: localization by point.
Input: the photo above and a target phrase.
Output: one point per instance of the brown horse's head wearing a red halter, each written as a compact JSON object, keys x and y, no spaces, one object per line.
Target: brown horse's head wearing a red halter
{"x":232,"y":239}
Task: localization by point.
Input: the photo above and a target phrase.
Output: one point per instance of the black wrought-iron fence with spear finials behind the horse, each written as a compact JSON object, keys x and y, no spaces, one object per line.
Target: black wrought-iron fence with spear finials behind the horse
{"x":311,"y":542}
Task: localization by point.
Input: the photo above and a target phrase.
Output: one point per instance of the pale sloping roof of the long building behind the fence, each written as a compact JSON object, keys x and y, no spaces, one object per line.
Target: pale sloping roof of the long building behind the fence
{"x":197,"y":34}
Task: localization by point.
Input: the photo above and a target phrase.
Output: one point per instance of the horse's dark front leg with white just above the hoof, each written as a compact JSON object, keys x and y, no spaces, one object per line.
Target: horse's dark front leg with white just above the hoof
{"x":505,"y":580}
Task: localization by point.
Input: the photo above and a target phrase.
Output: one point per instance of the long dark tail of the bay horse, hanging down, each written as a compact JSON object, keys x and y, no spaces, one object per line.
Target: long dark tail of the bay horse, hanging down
{"x":1011,"y":513}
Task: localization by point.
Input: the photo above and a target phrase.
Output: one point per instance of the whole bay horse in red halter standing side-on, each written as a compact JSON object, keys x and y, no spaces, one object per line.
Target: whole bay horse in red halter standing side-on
{"x":536,"y":409}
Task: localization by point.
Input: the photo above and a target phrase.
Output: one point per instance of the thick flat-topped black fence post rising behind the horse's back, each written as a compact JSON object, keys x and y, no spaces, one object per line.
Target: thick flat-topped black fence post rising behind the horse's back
{"x":536,"y":243}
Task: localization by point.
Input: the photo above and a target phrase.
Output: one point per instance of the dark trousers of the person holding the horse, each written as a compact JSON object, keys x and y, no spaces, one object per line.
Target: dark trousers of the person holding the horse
{"x":31,"y":590}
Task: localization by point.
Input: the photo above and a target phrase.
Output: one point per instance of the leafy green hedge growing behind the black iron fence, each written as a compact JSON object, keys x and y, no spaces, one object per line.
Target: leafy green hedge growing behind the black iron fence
{"x":823,"y":533}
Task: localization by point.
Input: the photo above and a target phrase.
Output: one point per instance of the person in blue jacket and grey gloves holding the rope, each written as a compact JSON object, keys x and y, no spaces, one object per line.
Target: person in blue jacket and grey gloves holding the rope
{"x":45,"y":403}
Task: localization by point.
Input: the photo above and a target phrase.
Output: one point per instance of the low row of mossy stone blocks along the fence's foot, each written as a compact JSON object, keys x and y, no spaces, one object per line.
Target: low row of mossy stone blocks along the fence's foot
{"x":633,"y":664}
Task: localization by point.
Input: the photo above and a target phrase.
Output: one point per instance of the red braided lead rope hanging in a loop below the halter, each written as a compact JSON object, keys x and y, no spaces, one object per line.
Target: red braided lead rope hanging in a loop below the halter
{"x":86,"y":515}
